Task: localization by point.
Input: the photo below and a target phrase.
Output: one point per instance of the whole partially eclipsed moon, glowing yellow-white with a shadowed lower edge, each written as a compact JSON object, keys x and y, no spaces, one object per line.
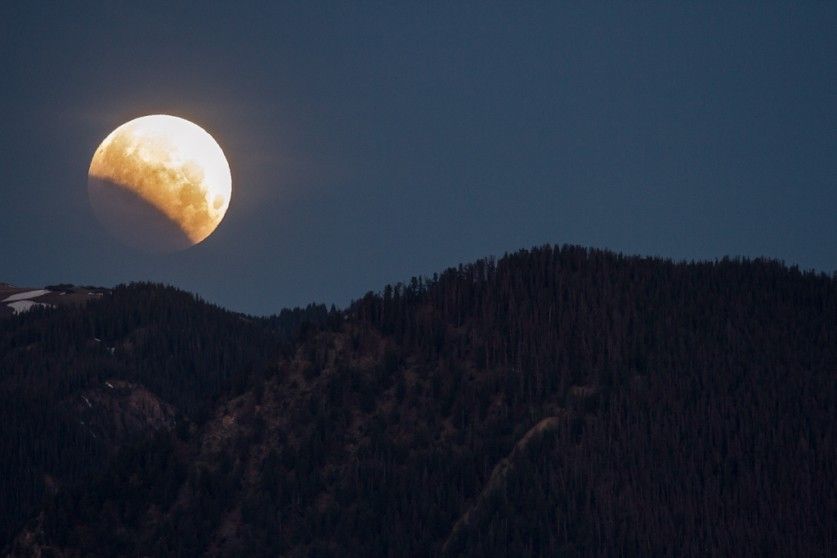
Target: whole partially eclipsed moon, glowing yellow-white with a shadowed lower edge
{"x":159,"y":183}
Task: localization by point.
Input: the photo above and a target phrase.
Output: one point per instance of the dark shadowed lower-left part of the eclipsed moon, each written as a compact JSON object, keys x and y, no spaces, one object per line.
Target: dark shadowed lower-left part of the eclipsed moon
{"x":134,"y":221}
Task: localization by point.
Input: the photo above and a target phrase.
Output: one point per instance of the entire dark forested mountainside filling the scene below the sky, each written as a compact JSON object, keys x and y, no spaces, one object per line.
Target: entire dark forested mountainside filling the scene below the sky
{"x":555,"y":401}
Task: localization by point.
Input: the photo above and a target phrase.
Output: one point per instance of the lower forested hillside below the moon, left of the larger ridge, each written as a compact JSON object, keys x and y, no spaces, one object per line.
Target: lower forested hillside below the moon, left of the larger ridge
{"x":79,"y":383}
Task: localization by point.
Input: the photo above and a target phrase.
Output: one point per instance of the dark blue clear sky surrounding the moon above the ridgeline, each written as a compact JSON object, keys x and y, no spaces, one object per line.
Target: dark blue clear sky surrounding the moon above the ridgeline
{"x":370,"y":143}
